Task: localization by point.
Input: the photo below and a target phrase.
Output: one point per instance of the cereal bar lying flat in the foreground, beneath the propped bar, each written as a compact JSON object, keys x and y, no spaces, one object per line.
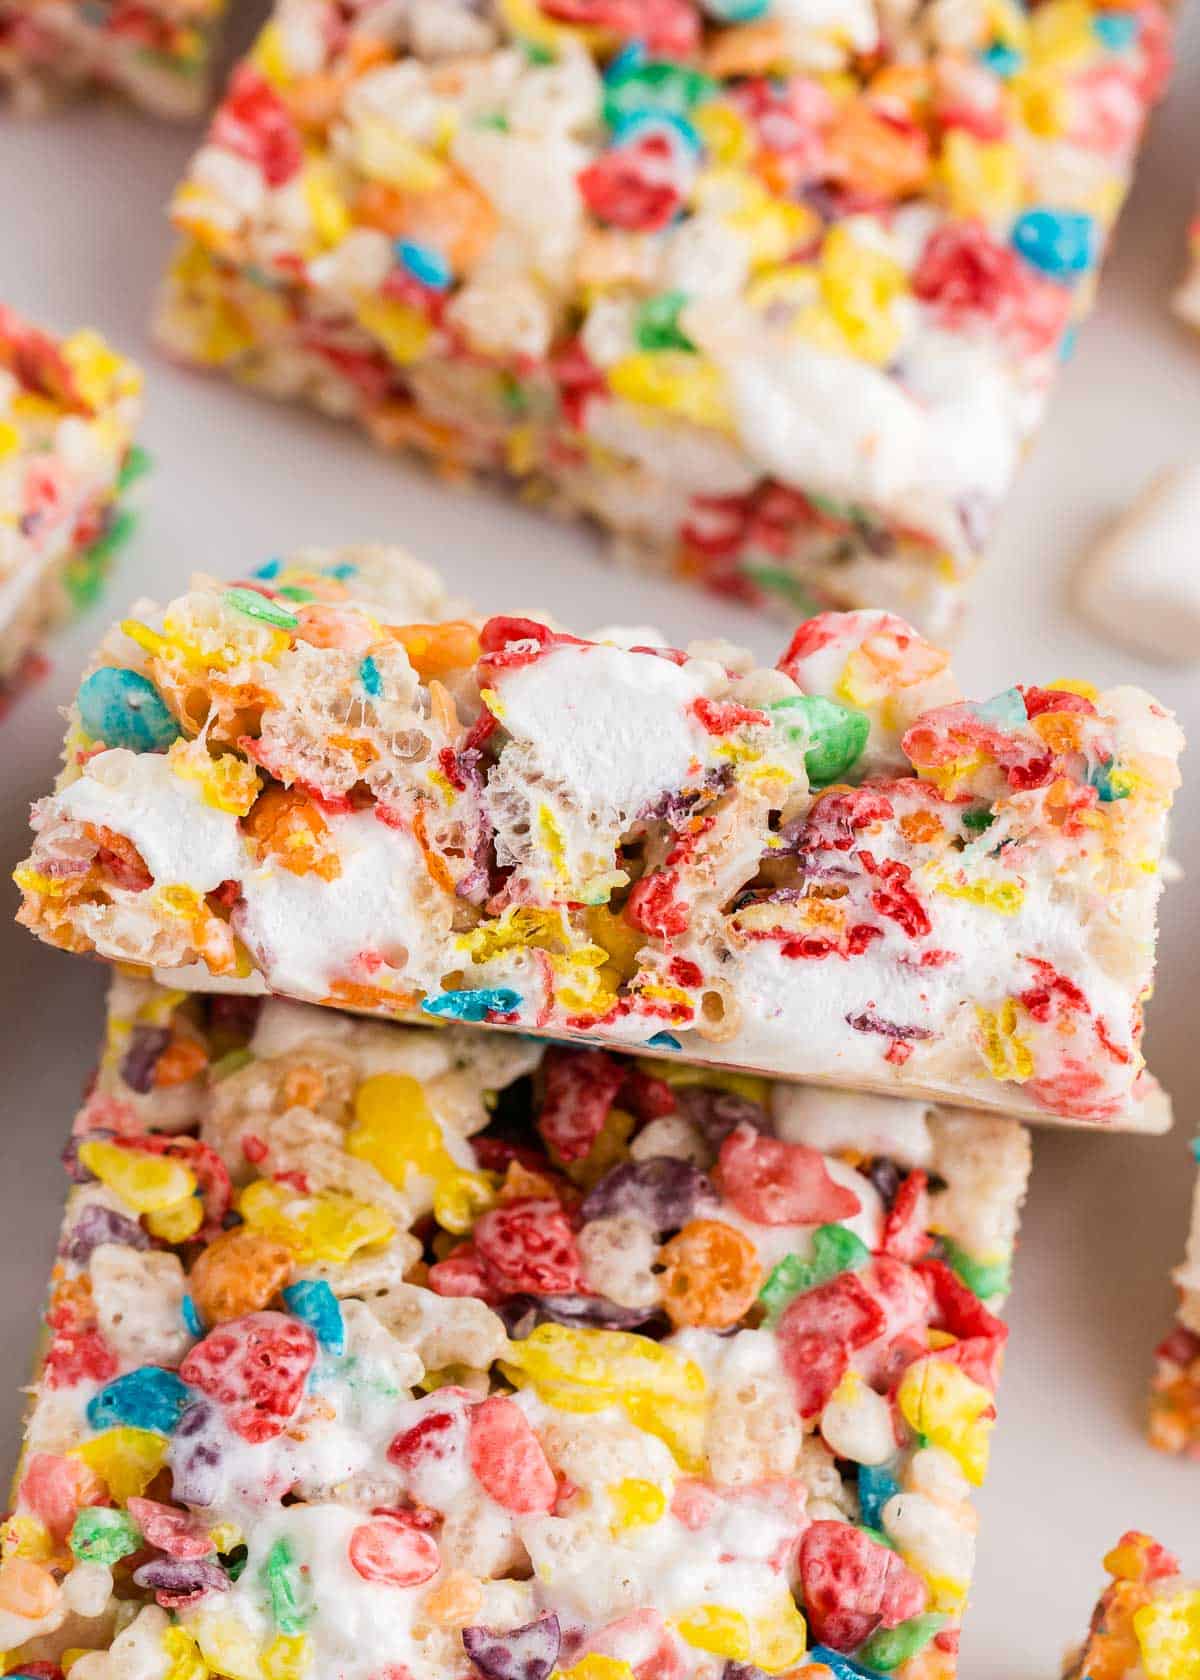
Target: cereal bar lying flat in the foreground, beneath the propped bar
{"x":387,"y":1353}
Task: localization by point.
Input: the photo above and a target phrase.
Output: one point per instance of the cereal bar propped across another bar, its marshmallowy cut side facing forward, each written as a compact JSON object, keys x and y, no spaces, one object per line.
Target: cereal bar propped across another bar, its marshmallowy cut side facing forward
{"x":834,"y":869}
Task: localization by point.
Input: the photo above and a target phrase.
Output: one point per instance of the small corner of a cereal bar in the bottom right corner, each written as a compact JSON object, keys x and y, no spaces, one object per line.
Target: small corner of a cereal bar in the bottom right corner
{"x":1147,"y":1624}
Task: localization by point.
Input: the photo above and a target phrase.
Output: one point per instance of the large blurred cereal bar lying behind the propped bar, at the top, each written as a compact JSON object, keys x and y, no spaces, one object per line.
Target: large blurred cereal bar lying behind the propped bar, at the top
{"x":774,"y":291}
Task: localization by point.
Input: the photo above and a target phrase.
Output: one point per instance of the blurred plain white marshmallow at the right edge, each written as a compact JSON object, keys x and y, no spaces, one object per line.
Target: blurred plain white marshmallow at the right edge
{"x":1139,"y":587}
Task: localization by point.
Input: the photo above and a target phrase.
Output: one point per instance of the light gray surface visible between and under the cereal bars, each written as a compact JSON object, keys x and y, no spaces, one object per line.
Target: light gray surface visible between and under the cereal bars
{"x":83,"y":239}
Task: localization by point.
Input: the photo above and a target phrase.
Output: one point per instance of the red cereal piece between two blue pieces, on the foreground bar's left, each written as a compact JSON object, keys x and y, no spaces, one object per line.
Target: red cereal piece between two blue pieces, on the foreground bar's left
{"x":256,"y":1370}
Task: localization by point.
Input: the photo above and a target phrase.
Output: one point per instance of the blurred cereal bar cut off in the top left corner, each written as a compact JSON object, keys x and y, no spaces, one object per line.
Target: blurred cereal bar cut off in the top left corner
{"x":154,"y":51}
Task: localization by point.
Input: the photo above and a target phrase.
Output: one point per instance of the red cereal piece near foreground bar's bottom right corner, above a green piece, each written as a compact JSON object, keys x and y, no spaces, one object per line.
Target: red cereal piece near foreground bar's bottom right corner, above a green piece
{"x":853,"y":1585}
